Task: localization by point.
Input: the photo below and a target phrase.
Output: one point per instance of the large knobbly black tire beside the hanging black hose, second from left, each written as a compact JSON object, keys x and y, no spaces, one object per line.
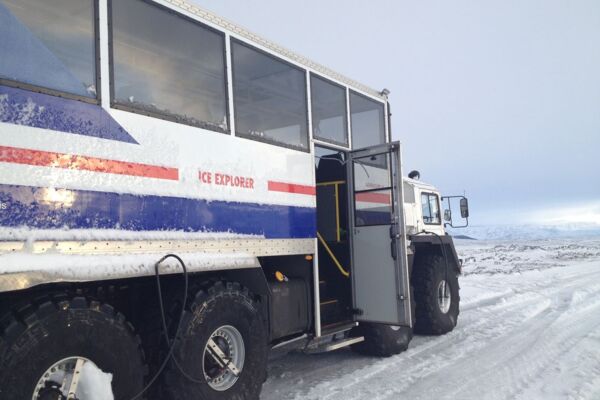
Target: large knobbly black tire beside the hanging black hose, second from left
{"x":216,"y":311}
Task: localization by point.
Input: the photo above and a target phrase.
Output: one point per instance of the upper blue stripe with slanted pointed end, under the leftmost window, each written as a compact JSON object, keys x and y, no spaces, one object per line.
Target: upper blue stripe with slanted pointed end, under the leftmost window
{"x":40,"y":110}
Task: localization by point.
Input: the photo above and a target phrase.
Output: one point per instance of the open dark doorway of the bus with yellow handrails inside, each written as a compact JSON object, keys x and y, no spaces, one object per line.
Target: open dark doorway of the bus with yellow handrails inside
{"x":334,"y":249}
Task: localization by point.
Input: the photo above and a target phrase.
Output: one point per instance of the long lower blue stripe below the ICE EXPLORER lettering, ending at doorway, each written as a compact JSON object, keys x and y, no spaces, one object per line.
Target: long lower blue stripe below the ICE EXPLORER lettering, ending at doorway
{"x":33,"y":207}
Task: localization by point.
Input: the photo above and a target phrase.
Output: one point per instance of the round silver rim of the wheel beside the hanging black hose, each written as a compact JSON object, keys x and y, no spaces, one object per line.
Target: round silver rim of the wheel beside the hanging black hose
{"x":223,"y":358}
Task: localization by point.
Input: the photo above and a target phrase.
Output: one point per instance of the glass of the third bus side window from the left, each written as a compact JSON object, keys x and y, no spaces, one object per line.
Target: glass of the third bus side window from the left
{"x":269,"y":97}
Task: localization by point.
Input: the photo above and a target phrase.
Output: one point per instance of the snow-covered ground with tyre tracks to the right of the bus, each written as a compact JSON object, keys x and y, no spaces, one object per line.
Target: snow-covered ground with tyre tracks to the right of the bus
{"x":529,"y":329}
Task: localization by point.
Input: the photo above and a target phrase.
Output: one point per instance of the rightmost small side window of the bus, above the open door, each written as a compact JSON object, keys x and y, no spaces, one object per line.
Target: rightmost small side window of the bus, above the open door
{"x":367,"y":121}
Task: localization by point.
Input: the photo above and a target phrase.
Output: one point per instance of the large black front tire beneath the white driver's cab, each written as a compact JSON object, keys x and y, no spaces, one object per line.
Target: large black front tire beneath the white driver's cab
{"x":435,"y":314}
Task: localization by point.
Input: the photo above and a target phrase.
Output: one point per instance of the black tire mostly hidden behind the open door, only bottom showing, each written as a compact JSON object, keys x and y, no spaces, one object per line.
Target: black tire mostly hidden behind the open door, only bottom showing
{"x":382,"y":340}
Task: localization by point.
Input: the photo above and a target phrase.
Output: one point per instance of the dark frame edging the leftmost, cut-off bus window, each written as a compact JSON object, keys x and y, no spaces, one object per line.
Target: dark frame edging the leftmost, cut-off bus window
{"x":66,"y":95}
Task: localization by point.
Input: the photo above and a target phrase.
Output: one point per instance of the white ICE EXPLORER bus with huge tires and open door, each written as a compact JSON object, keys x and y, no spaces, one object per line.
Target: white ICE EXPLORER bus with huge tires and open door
{"x":179,"y":197}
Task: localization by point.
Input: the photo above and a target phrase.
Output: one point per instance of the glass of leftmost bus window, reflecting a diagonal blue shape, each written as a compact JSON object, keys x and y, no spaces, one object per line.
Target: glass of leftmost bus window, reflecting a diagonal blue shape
{"x":49,"y":43}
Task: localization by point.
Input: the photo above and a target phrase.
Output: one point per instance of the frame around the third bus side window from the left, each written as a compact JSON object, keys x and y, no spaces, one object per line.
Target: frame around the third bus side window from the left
{"x":232,"y":41}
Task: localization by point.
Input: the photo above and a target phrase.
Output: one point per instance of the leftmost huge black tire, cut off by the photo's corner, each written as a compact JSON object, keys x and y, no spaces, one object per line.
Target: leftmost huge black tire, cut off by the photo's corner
{"x":43,"y":336}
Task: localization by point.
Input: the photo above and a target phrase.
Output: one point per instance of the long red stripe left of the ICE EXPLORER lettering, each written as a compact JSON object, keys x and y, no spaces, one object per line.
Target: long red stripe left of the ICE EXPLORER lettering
{"x":84,"y":163}
